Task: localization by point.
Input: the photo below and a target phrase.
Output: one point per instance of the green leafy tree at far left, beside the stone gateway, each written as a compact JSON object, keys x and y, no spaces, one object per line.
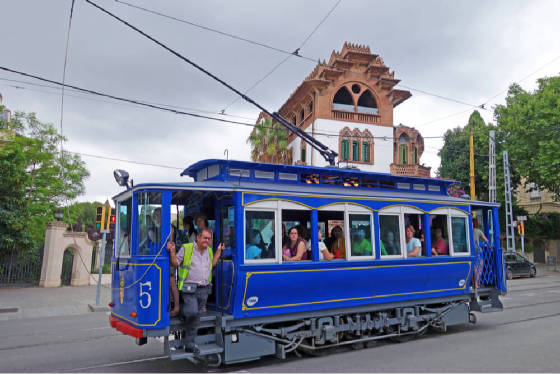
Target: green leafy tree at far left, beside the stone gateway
{"x":50,"y":180}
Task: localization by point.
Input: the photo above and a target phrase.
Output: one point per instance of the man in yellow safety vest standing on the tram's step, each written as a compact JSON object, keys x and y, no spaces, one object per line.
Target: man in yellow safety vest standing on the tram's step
{"x":195,"y":262}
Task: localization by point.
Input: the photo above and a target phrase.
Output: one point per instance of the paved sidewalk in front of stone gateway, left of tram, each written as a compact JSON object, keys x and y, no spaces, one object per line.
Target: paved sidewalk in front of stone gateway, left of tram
{"x":34,"y":302}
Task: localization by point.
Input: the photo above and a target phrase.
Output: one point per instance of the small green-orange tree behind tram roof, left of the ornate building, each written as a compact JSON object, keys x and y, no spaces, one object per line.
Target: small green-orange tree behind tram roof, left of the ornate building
{"x":269,"y":143}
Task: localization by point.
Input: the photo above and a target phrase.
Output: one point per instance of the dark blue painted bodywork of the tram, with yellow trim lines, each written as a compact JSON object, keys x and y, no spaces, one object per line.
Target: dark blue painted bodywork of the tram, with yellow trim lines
{"x":257,"y":290}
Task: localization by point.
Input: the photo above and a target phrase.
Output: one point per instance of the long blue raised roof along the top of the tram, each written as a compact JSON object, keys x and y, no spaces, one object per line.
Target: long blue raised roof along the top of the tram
{"x":230,"y":175}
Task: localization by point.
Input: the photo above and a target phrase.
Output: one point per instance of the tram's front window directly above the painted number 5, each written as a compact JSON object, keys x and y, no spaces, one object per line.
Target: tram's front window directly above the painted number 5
{"x":149,"y":223}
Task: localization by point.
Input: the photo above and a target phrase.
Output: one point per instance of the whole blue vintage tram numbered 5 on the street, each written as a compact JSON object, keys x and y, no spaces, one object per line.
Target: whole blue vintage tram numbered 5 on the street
{"x":261,"y":305}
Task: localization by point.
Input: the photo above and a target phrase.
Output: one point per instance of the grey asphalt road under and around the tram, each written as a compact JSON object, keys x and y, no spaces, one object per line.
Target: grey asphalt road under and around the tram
{"x":525,"y":337}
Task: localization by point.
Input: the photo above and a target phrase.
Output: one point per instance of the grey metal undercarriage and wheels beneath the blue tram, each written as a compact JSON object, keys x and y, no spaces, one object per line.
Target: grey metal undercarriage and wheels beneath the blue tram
{"x":224,"y":340}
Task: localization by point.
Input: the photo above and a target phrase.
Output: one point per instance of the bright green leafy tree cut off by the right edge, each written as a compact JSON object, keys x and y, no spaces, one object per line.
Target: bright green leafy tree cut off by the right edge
{"x":530,"y":124}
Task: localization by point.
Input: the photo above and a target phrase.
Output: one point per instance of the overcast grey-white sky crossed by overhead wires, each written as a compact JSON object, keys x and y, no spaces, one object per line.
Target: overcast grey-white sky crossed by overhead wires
{"x":467,"y":51}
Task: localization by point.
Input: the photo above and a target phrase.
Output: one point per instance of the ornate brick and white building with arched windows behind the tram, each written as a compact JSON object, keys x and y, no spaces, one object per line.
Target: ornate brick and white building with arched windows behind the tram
{"x":347,"y":103}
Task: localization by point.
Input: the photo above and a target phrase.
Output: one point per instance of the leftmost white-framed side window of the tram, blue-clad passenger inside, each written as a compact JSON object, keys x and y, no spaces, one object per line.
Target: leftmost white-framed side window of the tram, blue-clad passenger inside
{"x":259,"y":235}
